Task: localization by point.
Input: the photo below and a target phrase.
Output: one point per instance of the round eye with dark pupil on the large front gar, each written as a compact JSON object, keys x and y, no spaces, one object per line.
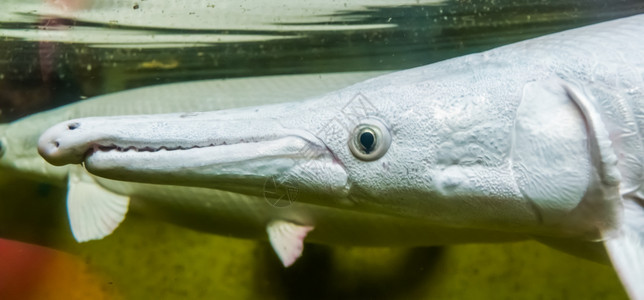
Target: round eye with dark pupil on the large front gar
{"x":370,"y":140}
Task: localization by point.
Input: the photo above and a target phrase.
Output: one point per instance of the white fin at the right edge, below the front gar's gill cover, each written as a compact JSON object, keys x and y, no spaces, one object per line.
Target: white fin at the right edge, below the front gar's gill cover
{"x":626,"y":250}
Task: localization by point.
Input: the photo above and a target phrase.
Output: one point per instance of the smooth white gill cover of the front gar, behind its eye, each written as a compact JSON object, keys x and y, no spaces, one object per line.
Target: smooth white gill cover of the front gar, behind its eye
{"x":560,"y":139}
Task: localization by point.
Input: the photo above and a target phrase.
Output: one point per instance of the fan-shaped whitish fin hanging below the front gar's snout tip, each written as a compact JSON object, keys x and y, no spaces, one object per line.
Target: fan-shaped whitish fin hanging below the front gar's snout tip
{"x":94,"y":212}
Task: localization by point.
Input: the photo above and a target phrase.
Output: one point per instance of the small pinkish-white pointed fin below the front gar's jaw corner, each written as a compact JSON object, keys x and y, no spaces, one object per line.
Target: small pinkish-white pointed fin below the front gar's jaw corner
{"x":287,"y":240}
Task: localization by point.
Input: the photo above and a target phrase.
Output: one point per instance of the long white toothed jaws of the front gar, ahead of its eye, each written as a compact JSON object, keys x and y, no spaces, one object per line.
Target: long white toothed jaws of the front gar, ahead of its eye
{"x":221,"y":150}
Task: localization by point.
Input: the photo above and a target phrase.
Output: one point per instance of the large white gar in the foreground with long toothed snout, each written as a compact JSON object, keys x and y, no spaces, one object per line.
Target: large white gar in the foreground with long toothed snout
{"x":540,"y":138}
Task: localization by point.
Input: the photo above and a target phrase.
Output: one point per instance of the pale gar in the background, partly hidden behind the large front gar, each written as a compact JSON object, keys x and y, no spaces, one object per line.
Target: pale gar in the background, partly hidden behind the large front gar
{"x":248,"y":214}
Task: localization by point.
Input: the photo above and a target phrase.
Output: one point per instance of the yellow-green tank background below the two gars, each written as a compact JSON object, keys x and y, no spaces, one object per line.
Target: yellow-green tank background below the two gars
{"x":149,"y":259}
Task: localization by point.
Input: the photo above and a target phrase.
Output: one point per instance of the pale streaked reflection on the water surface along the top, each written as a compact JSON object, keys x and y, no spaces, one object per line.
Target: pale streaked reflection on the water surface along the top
{"x":154,"y":23}
